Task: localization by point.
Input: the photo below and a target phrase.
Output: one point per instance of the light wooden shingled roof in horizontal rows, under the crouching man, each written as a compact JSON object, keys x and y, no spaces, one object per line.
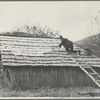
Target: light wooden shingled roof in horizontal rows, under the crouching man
{"x":23,"y":51}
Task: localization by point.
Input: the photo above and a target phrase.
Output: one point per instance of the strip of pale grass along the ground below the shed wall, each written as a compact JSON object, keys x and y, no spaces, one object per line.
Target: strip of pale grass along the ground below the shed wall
{"x":52,"y":92}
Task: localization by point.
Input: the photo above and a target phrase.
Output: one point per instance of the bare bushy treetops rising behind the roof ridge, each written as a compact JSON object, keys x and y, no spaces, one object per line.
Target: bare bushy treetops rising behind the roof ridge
{"x":34,"y":31}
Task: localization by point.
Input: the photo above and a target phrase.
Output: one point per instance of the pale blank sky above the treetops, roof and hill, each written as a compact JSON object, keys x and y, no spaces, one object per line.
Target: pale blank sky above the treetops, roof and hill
{"x":71,"y":18}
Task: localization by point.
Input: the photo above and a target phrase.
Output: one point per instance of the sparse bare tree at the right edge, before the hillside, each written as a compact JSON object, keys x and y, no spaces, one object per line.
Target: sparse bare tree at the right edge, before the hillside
{"x":93,"y":41}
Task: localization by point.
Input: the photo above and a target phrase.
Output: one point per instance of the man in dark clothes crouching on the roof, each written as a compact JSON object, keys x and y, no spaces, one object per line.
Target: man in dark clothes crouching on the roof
{"x":68,"y":45}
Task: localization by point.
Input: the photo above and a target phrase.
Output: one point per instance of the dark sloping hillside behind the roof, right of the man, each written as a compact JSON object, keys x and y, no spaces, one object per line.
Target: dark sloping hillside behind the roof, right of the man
{"x":91,"y":43}
